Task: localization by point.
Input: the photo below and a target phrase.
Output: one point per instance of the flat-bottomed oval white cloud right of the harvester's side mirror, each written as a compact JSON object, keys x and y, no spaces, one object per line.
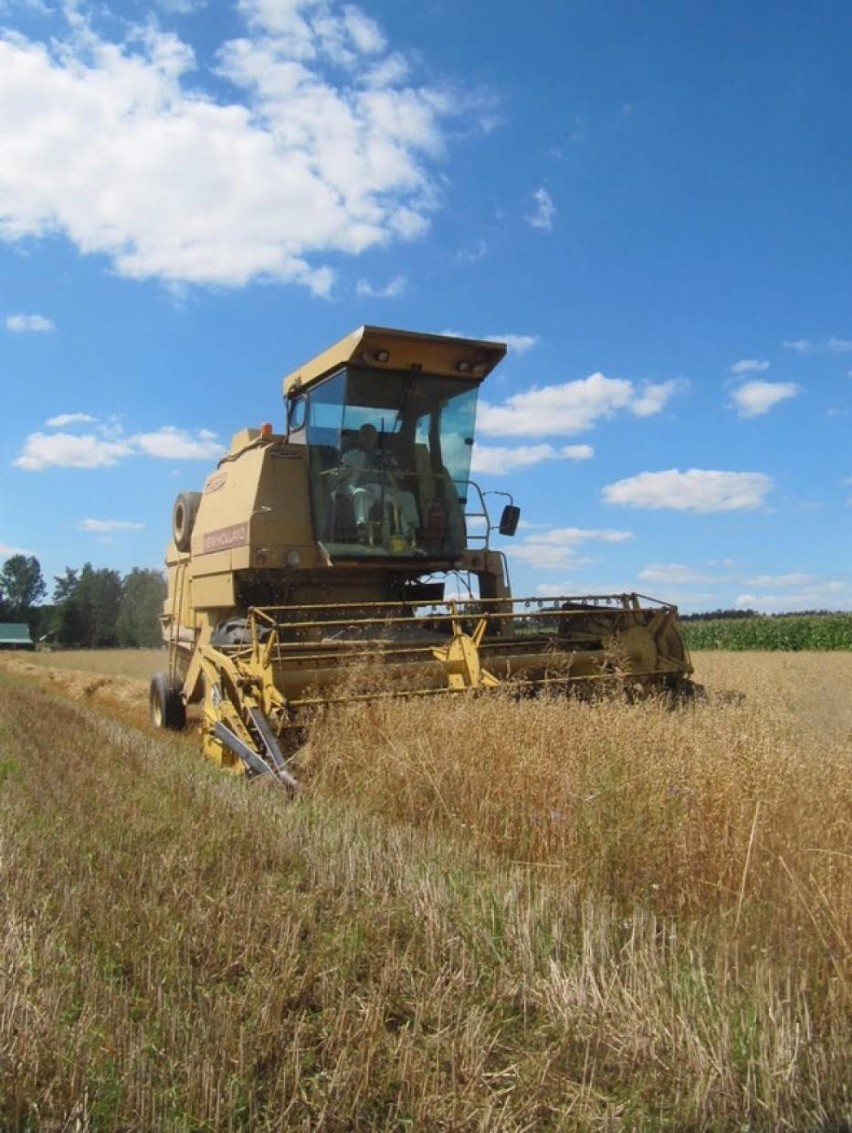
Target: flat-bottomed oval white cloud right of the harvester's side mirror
{"x":697,"y":490}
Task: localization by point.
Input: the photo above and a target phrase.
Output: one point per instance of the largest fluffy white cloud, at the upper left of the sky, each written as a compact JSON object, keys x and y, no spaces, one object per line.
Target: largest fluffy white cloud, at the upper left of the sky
{"x":131,"y":150}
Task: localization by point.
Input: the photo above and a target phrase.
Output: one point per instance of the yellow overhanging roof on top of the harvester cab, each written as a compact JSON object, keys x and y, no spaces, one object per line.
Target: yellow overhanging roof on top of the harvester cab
{"x":384,"y":348}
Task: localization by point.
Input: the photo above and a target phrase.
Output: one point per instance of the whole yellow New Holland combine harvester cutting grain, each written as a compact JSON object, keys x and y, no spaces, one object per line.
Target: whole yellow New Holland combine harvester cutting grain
{"x":351,"y":558}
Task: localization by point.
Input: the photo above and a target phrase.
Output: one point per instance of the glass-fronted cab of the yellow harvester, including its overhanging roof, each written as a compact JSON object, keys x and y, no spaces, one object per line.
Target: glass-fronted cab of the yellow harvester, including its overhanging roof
{"x":388,"y":421}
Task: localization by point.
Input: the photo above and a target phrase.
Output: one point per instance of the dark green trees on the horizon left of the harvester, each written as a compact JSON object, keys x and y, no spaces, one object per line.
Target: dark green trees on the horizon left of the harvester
{"x":90,"y":610}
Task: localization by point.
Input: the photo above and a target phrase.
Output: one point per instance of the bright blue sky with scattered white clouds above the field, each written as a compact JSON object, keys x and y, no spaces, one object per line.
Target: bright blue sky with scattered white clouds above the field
{"x":650,"y":203}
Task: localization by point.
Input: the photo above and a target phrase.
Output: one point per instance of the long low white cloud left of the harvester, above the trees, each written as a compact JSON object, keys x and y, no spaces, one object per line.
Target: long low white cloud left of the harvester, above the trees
{"x":66,"y":450}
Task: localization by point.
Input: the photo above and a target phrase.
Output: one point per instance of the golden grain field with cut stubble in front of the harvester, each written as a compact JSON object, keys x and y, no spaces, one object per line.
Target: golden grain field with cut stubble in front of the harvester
{"x":482,"y":914}
